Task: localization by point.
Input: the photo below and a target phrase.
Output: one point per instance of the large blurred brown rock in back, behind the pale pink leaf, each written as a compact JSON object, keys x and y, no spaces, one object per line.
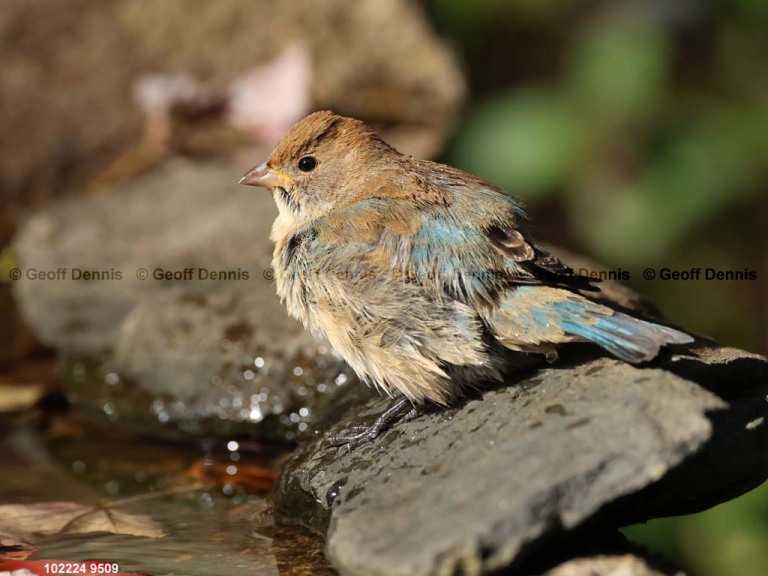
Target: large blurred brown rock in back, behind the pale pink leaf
{"x":408,"y":81}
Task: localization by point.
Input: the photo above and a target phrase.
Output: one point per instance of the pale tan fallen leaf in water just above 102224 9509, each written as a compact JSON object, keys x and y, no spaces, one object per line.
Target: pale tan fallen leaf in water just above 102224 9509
{"x":19,"y":522}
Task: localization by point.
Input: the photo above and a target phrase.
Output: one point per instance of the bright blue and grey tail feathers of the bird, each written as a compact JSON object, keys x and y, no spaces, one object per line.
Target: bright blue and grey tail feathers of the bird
{"x":630,"y":339}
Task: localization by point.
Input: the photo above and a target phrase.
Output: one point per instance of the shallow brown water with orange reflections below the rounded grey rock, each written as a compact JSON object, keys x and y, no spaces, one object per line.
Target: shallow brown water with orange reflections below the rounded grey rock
{"x":208,"y":498}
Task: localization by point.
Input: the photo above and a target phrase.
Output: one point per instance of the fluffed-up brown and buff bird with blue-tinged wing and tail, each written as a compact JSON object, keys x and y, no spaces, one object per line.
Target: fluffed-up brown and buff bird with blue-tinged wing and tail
{"x":423,"y":277}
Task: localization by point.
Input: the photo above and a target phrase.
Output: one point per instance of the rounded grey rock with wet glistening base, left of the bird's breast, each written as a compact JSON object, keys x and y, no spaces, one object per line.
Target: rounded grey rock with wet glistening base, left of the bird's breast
{"x":198,"y":354}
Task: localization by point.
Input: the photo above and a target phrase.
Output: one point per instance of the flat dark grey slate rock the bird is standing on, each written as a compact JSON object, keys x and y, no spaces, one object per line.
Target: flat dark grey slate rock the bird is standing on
{"x":505,"y":476}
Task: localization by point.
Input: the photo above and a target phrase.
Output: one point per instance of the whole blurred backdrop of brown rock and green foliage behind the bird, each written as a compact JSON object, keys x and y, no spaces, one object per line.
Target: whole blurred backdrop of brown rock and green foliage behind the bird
{"x":635,"y":131}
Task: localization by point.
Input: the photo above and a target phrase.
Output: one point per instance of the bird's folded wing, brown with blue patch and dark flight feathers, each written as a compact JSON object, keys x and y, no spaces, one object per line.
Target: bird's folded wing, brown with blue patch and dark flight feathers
{"x":472,"y":254}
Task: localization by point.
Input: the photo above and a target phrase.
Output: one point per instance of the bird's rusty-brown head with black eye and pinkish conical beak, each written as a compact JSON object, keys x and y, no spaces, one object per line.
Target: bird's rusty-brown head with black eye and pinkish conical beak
{"x":324,"y":161}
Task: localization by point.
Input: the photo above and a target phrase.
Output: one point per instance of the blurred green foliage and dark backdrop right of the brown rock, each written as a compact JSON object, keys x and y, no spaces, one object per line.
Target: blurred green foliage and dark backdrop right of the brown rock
{"x":637,"y":131}
